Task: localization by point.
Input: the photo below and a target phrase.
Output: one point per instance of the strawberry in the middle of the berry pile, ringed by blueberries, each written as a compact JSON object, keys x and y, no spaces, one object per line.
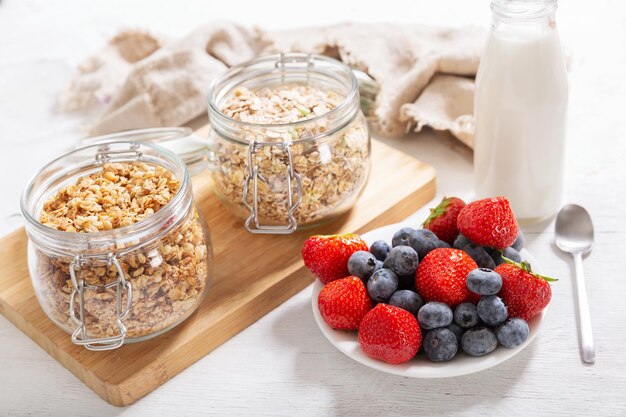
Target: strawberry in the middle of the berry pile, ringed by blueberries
{"x":441,"y":276}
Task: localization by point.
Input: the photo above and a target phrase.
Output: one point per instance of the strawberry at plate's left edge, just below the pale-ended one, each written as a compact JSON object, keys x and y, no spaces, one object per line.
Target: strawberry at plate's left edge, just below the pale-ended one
{"x":343,"y":303}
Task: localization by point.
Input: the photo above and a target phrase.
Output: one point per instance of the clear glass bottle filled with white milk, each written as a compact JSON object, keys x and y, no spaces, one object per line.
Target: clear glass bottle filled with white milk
{"x":520,"y":109}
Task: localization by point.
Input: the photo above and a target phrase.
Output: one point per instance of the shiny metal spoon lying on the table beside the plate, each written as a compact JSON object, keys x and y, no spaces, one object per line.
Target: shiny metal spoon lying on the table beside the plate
{"x":574,"y":234}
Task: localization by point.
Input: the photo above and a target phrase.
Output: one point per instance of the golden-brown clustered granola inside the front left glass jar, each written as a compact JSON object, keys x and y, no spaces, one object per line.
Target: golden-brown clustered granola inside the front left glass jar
{"x":168,"y":277}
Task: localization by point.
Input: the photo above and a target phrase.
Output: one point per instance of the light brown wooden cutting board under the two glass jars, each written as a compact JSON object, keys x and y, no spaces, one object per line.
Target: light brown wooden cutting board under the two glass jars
{"x":253,"y":275}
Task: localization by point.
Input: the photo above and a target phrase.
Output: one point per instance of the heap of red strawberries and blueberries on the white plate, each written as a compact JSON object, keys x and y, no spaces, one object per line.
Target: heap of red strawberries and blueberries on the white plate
{"x":457,"y":284}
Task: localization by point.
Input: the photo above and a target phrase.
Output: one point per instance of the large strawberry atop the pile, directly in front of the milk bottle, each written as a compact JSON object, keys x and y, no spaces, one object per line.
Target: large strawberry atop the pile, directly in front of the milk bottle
{"x":489,"y":222}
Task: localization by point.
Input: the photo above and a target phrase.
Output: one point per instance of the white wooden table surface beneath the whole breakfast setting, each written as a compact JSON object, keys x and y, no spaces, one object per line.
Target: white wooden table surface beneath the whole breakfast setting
{"x":283,"y":365}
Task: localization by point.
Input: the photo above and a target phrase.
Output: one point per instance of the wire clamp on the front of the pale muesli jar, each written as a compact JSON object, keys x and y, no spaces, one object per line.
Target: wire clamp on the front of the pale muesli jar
{"x":253,"y":224}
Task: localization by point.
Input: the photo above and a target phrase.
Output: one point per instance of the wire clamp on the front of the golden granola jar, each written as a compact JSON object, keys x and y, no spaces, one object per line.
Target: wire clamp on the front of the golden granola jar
{"x":80,"y":336}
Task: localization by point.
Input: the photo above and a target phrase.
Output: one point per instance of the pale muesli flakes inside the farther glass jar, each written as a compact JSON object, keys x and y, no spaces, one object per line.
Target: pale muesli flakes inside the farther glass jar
{"x":333,"y":167}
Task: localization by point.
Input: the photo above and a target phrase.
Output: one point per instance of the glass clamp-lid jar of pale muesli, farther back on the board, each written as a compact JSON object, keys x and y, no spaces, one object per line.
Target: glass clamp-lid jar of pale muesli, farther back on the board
{"x":282,"y":176}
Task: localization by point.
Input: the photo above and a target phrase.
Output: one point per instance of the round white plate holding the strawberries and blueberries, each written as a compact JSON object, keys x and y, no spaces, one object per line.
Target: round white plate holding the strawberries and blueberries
{"x":420,"y":367}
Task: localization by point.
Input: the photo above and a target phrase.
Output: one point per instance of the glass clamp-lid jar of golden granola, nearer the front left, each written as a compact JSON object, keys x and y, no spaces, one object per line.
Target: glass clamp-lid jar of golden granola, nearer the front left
{"x":126,"y":284}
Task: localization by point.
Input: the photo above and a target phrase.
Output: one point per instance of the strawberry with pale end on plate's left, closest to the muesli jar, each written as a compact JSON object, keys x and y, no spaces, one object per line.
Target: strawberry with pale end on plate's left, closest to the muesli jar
{"x":326,"y":256}
